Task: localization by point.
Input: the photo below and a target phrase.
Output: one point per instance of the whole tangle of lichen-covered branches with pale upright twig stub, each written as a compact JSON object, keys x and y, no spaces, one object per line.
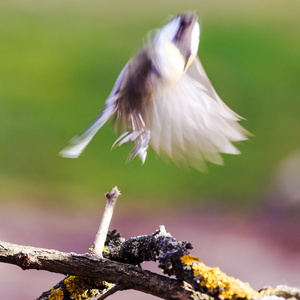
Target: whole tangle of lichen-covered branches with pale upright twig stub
{"x":109,"y":269}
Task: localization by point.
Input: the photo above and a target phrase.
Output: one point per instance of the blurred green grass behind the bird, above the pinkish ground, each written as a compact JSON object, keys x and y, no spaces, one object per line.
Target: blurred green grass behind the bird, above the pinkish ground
{"x":59,"y":62}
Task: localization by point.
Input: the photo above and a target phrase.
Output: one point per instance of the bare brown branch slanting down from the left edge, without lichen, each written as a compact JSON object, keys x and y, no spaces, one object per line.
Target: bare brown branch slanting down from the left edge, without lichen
{"x":101,"y":269}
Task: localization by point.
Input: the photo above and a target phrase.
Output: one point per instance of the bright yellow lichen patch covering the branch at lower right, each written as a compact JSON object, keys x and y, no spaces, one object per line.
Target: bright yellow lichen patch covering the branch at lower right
{"x":213,"y":278}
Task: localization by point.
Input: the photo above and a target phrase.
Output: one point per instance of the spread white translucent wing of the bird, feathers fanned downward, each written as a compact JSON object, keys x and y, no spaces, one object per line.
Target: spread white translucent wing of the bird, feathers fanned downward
{"x":190,"y":123}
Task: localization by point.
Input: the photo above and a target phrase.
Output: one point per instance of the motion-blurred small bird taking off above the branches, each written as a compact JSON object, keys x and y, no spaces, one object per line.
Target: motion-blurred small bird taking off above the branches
{"x":163,"y":99}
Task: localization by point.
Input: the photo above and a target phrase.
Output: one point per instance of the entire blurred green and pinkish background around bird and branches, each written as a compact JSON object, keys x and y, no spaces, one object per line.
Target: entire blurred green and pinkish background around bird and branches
{"x":58,"y":63}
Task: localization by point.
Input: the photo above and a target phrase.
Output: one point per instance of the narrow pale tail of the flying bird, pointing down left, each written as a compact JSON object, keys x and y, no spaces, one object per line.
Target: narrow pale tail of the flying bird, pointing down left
{"x":78,"y":143}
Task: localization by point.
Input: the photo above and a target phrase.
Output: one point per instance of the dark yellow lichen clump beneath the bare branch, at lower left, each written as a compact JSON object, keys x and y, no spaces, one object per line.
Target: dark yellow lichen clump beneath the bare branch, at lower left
{"x":84,"y":288}
